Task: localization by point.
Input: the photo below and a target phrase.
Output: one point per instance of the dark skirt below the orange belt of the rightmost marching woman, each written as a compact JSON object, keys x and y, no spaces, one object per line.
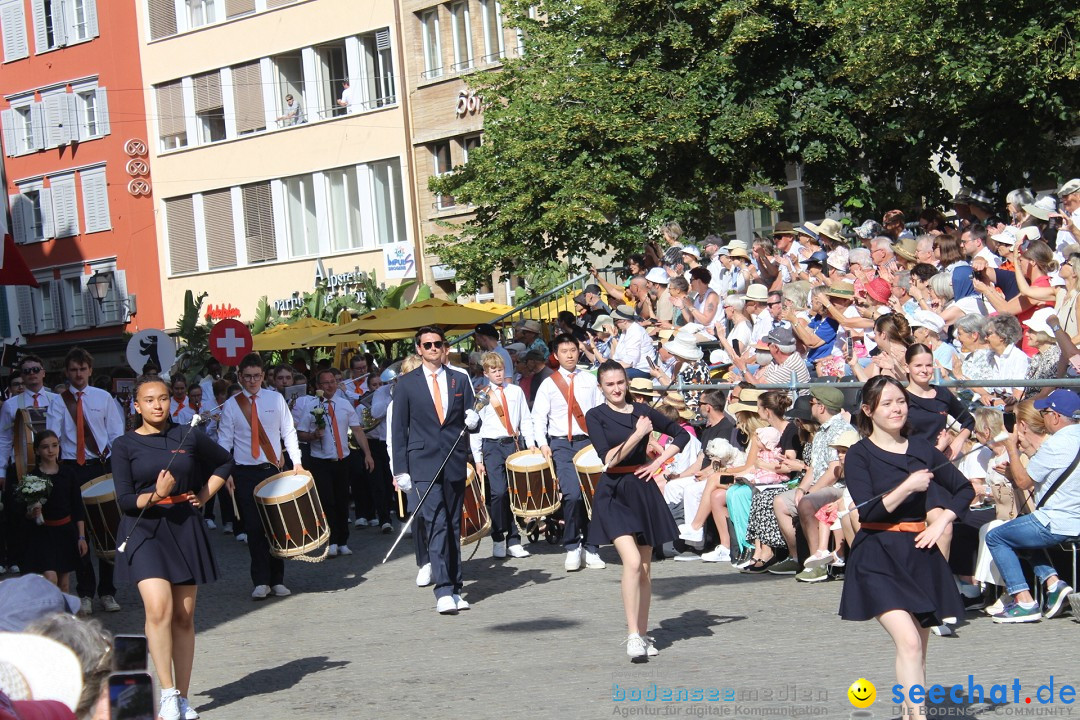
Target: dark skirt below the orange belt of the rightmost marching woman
{"x":886,"y":572}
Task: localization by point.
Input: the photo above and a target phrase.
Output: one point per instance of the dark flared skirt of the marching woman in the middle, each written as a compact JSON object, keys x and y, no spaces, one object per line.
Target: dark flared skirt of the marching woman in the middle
{"x":628,"y":506}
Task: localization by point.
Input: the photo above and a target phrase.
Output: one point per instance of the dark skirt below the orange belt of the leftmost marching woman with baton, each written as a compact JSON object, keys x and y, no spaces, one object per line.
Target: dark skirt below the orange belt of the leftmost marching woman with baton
{"x":169,"y":542}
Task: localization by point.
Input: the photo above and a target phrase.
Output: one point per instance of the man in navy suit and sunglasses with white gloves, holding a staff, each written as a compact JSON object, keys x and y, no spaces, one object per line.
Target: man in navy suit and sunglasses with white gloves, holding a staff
{"x":434,"y":406}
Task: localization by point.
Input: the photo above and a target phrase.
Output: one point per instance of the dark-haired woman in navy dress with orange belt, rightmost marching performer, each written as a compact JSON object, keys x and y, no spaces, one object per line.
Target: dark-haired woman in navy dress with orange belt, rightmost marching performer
{"x":896,"y":573}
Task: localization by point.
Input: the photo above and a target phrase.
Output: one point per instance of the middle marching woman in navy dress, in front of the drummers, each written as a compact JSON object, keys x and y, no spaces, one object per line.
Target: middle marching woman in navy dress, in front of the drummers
{"x":629,"y":511}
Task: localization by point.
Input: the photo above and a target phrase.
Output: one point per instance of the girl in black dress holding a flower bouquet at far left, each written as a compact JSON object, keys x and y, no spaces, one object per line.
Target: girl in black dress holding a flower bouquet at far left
{"x":53,"y":549}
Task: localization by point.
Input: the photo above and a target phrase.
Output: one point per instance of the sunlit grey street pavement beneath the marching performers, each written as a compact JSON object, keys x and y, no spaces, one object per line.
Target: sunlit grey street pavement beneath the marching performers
{"x":358,"y":640}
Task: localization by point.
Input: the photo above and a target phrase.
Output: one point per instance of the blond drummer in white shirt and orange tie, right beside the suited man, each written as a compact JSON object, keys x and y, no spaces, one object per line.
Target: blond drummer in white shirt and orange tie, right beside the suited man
{"x":506,"y":428}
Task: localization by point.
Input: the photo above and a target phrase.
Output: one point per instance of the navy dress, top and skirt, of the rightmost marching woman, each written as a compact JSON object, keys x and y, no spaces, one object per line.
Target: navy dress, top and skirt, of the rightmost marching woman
{"x":886,"y":572}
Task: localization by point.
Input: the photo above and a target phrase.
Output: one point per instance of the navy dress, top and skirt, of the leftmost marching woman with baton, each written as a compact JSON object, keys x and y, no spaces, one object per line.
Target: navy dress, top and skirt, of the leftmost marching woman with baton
{"x":170,"y":541}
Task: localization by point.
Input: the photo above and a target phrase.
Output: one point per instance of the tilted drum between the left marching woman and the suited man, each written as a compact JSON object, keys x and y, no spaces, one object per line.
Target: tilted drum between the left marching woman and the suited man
{"x":292,"y":514}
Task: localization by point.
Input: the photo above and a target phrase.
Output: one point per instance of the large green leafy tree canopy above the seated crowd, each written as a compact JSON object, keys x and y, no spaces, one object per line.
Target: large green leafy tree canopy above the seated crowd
{"x":624,"y":114}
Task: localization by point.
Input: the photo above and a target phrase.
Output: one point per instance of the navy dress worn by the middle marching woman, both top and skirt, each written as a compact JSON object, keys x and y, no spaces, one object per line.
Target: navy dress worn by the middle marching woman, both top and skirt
{"x":625,"y":505}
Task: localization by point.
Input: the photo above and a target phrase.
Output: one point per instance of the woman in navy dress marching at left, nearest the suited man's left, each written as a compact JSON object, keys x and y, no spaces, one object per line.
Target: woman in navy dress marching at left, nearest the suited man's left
{"x":168,"y":553}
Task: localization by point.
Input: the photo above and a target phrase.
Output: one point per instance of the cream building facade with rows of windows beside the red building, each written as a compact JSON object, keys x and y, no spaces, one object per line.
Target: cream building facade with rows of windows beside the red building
{"x":255,"y":196}
